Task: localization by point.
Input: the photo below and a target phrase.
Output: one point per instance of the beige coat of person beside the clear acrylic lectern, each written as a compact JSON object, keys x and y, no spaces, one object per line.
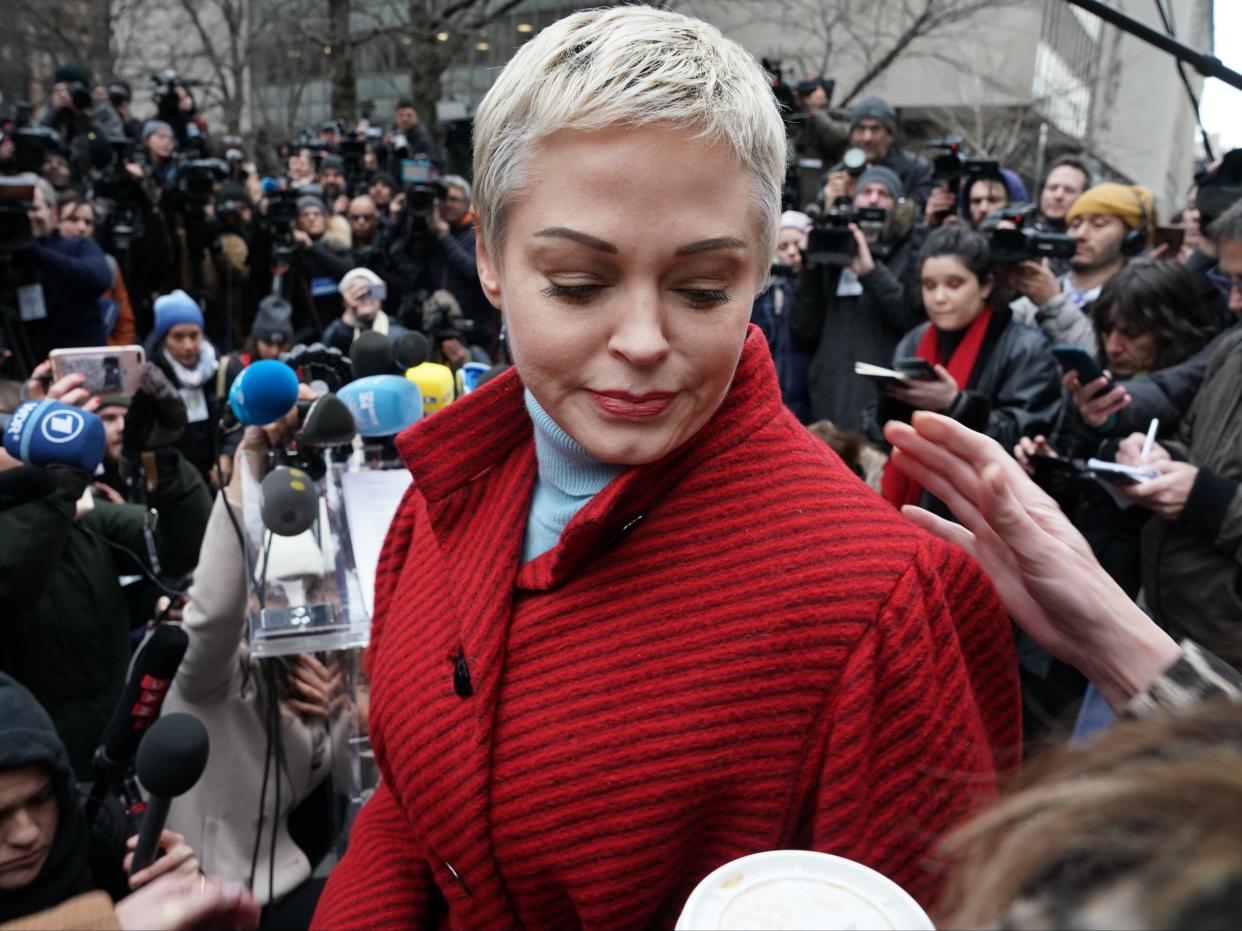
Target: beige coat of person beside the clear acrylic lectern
{"x":224,"y":687}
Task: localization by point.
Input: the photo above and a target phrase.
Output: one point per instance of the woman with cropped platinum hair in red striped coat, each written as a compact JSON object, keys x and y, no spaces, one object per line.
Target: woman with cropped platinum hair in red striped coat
{"x":633,"y":621}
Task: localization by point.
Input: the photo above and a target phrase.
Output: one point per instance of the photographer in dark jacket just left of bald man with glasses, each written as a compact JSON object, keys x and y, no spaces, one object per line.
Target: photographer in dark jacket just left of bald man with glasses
{"x":324,"y":254}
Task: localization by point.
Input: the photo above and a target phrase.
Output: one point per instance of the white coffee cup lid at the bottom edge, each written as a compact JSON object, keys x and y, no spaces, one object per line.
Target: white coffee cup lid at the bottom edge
{"x":799,"y":889}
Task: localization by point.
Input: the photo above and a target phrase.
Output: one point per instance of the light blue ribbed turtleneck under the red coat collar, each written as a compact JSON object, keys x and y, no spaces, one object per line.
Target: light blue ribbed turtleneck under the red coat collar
{"x":569,"y":477}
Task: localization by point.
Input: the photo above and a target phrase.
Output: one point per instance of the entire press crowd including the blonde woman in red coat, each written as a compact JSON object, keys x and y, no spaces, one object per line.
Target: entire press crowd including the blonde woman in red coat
{"x":1045,"y":385}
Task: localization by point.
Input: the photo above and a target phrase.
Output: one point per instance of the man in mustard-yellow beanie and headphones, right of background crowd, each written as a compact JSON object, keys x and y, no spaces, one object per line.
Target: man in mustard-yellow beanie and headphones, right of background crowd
{"x":1111,"y":223}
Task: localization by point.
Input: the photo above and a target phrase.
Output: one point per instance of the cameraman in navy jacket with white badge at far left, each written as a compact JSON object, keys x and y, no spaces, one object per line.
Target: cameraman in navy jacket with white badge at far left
{"x":63,"y":308}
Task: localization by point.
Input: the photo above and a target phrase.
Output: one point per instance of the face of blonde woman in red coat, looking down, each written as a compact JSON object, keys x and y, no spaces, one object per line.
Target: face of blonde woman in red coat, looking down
{"x":629,"y":269}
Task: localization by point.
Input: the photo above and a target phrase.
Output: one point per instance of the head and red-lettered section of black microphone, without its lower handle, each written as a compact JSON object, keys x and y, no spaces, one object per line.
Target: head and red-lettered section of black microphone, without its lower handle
{"x":151,"y":676}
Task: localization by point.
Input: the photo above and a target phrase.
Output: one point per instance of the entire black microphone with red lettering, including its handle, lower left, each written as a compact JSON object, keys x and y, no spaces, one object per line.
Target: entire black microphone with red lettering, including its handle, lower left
{"x":151,"y":675}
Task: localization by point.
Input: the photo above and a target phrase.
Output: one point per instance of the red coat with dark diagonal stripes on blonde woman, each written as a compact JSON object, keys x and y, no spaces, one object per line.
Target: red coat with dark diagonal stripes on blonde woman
{"x":735,"y":650}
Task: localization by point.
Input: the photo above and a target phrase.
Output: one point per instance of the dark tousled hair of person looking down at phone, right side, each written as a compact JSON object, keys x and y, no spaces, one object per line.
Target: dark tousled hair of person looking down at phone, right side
{"x":1158,"y":297}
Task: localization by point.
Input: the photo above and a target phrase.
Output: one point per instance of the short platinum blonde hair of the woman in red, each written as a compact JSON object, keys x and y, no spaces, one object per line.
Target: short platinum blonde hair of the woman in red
{"x":628,"y":66}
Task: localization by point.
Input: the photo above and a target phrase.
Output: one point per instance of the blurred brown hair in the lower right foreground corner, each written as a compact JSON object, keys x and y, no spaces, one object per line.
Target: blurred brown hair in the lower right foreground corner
{"x":1141,"y":829}
